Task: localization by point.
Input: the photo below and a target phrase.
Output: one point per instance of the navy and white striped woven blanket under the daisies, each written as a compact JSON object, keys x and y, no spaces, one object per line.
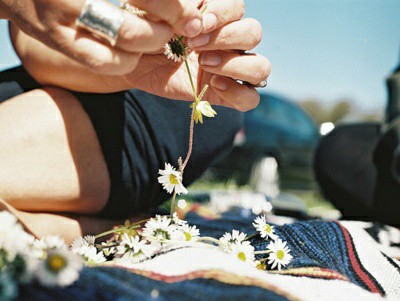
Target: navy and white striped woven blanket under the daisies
{"x":333,"y":260}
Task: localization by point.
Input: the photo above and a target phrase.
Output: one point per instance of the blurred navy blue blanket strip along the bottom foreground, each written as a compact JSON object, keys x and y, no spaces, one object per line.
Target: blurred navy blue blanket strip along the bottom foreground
{"x":120,"y":285}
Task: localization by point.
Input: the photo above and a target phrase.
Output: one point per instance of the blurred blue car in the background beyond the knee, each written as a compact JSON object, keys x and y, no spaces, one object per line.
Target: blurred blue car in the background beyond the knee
{"x":276,"y":131}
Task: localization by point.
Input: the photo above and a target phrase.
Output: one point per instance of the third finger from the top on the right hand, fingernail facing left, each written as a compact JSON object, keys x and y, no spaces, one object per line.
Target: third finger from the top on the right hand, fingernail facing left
{"x":252,"y":68}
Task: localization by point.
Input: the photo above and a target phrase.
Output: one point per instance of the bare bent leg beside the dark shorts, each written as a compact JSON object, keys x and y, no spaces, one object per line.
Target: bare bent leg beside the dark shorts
{"x":50,"y":161}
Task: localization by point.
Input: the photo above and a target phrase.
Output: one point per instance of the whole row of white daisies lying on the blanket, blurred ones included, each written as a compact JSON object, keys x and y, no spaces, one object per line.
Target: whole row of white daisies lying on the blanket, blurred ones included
{"x":50,"y":262}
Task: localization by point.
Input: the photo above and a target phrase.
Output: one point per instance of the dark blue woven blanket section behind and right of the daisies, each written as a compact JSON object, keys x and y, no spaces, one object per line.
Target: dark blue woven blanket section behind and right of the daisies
{"x":313,"y":243}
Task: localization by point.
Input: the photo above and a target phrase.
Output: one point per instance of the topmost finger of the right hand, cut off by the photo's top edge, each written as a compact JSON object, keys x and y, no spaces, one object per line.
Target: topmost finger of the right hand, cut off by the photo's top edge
{"x":219,"y":13}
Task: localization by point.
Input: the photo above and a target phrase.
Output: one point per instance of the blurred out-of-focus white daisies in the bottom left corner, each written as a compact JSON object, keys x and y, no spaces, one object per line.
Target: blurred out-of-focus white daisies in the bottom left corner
{"x":24,"y":259}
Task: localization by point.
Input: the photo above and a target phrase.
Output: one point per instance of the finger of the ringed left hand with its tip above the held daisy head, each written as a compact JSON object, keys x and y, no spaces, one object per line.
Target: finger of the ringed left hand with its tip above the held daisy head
{"x":182,"y":15}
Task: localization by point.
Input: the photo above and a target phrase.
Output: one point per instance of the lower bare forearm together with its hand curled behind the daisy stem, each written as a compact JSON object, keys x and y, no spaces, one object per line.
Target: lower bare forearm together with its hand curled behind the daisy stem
{"x":158,"y":75}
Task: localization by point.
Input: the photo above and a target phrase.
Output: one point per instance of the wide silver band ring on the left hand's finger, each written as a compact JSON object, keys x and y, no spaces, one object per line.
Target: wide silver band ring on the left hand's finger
{"x":102,"y":18}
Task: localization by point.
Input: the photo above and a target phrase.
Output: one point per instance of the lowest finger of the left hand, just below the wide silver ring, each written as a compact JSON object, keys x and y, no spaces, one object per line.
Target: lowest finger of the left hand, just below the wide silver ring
{"x":97,"y":57}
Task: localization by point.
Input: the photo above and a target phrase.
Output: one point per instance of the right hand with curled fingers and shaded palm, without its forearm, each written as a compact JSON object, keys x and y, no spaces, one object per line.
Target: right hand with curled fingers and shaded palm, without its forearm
{"x":223,"y":31}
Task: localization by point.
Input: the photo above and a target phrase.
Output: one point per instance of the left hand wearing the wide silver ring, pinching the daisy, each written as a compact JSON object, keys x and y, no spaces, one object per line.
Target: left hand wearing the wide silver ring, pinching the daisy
{"x":53,"y":23}
